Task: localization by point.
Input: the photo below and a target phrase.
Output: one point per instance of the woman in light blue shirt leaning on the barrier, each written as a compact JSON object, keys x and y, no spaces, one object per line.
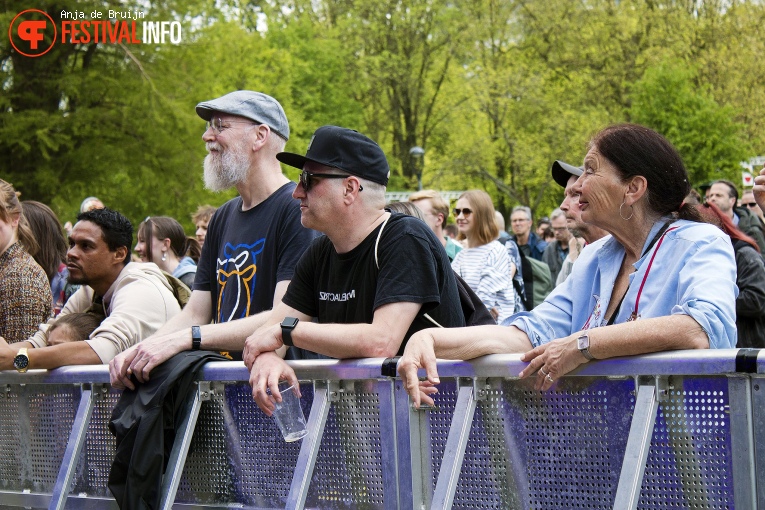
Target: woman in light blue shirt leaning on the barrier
{"x":663,"y":280}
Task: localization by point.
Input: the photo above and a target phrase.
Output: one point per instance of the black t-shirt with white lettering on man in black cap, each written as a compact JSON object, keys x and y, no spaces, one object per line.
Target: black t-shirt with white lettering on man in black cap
{"x":347,"y":288}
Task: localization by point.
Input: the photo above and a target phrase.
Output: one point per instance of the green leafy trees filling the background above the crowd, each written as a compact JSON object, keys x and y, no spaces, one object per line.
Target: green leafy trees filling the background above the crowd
{"x":493,"y":90}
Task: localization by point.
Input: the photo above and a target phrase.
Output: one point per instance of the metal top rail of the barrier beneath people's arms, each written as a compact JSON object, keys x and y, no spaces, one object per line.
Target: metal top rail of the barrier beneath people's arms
{"x":698,"y":362}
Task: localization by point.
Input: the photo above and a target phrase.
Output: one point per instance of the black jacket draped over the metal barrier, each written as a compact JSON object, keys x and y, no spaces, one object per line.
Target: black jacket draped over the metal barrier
{"x":144,"y":423}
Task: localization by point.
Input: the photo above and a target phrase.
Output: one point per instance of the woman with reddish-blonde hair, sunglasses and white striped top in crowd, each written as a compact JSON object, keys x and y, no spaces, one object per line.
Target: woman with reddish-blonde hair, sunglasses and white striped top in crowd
{"x":484,"y":263}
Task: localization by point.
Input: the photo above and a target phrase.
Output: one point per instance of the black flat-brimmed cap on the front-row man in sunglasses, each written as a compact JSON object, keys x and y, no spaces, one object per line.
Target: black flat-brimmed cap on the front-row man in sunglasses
{"x":346,"y":150}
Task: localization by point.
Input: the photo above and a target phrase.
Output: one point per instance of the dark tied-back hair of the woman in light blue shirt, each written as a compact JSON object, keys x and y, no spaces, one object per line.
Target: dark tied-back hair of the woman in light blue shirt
{"x":637,"y":150}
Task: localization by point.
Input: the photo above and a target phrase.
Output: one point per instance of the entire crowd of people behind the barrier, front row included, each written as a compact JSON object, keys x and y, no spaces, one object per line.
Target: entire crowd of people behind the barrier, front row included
{"x":632,"y":261}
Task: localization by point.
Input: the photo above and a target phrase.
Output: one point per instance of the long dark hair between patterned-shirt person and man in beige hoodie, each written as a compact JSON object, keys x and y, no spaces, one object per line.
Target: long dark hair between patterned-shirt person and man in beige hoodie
{"x":49,"y":233}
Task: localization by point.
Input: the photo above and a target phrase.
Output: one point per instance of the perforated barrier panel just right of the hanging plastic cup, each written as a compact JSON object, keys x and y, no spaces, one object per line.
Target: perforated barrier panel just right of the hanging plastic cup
{"x":348,"y":471}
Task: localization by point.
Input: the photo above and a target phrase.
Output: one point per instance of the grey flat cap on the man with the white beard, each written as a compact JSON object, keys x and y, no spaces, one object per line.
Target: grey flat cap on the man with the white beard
{"x":255,"y":106}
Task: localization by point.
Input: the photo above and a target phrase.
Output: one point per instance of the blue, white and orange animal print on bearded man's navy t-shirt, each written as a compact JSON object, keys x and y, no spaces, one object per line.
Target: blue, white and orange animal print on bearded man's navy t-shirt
{"x":236,"y":279}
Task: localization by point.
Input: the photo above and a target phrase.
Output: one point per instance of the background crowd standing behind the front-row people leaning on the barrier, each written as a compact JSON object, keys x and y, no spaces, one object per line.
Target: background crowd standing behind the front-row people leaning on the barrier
{"x":486,"y":256}
